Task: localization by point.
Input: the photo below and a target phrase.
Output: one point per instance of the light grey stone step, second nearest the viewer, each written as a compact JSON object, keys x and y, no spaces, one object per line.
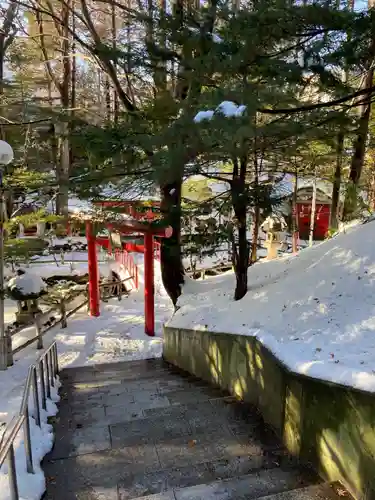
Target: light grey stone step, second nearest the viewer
{"x":257,"y":484}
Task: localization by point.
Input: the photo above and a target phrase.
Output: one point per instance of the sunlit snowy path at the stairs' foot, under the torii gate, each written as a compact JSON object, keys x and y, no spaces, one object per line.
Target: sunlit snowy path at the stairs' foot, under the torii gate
{"x":118,"y":333}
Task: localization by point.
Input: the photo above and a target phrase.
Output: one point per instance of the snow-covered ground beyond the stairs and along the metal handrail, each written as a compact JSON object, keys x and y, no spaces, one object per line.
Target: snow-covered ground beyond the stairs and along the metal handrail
{"x":117,"y":335}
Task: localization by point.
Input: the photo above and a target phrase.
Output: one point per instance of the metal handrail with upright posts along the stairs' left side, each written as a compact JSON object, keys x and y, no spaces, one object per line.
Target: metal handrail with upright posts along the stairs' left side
{"x":47,"y":368}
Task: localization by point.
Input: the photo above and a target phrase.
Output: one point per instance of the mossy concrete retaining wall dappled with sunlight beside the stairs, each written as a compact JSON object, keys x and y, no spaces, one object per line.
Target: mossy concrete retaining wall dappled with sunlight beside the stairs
{"x":328,"y":425}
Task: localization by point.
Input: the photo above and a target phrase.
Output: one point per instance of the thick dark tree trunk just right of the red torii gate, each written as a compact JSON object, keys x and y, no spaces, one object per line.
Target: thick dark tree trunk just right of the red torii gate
{"x":170,"y":256}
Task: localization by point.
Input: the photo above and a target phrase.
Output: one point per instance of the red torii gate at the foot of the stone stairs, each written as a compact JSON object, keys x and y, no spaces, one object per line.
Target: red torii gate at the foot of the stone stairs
{"x":132,"y":226}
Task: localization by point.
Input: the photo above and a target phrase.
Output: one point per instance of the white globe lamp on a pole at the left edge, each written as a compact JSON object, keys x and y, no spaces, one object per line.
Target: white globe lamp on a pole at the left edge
{"x":6,"y":358}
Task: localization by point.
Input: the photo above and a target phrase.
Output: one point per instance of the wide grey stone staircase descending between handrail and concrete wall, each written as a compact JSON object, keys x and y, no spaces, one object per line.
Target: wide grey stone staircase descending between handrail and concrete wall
{"x":143,"y":430}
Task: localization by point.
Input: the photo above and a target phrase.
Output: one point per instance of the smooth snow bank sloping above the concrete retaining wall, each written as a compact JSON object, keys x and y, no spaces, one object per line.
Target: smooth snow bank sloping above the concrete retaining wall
{"x":314,"y":311}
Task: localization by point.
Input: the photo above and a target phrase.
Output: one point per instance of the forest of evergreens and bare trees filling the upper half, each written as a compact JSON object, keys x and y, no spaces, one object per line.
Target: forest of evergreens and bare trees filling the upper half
{"x":123,"y":98}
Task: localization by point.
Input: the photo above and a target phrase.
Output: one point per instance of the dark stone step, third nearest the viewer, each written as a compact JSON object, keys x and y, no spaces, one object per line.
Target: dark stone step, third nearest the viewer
{"x":109,"y":472}
